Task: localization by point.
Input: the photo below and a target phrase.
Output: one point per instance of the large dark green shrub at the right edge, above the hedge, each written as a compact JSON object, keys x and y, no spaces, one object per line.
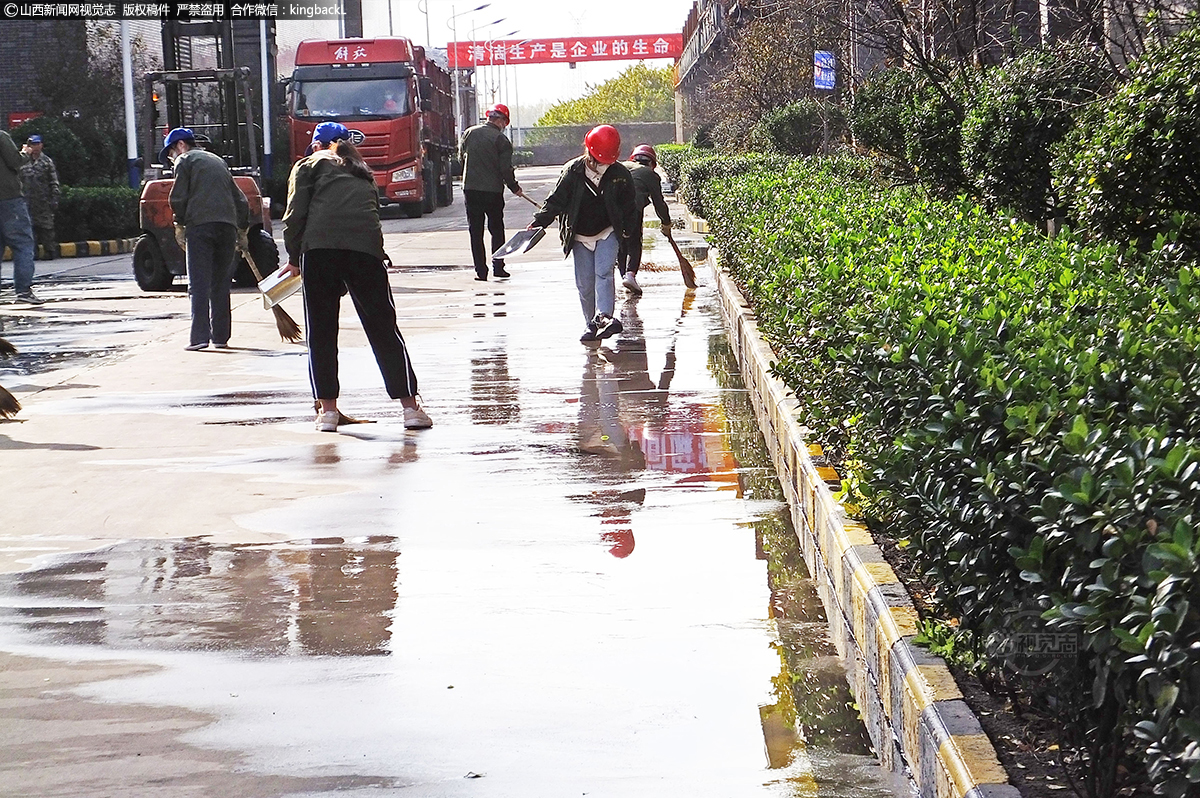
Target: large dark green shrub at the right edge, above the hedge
{"x":1135,"y":172}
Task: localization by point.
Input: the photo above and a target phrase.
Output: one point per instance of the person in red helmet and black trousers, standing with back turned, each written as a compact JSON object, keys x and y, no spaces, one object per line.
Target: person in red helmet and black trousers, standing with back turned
{"x":487,"y":157}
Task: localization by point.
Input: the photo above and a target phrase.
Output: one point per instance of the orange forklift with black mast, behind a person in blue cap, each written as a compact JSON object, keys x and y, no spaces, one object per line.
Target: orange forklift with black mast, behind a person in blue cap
{"x":217,"y":105}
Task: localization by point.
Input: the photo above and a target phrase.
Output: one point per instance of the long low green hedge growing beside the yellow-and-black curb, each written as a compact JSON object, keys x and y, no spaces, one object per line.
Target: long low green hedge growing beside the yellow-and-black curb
{"x":1022,"y":412}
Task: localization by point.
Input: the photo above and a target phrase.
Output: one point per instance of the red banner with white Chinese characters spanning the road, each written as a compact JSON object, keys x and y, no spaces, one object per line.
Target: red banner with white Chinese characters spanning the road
{"x":567,"y":50}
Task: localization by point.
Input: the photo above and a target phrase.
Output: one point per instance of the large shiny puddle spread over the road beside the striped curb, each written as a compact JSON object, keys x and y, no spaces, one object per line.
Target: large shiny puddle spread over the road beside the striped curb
{"x":586,"y":584}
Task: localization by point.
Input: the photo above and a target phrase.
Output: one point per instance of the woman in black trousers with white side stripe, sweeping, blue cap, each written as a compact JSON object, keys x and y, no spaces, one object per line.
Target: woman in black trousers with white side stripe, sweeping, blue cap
{"x":334,"y":239}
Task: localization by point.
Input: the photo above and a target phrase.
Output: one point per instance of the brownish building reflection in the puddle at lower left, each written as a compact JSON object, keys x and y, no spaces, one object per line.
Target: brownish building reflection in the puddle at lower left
{"x":331,"y":597}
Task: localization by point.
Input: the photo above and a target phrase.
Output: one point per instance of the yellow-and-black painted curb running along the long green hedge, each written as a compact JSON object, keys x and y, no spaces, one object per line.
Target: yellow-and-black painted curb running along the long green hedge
{"x":910,"y":703}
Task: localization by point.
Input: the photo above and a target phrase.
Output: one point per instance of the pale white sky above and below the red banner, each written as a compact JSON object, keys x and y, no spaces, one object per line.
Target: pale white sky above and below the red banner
{"x":535,"y":86}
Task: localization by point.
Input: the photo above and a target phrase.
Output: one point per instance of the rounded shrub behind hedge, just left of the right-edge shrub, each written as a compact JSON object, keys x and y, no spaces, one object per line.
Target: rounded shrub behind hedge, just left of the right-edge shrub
{"x":1021,"y":112}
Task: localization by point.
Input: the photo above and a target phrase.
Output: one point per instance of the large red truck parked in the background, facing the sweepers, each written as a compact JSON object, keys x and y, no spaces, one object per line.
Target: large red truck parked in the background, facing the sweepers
{"x":398,"y":104}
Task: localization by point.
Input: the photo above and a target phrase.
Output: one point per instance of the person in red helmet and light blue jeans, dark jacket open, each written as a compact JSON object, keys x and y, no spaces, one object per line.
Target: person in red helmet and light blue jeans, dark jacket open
{"x":596,"y":208}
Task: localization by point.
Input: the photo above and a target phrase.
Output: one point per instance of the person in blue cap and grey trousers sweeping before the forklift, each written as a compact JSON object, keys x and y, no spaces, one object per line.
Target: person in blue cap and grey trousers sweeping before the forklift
{"x":212,"y":215}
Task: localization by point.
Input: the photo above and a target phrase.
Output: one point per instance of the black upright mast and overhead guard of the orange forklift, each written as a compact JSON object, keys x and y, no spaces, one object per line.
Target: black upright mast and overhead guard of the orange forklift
{"x":217,"y":104}
